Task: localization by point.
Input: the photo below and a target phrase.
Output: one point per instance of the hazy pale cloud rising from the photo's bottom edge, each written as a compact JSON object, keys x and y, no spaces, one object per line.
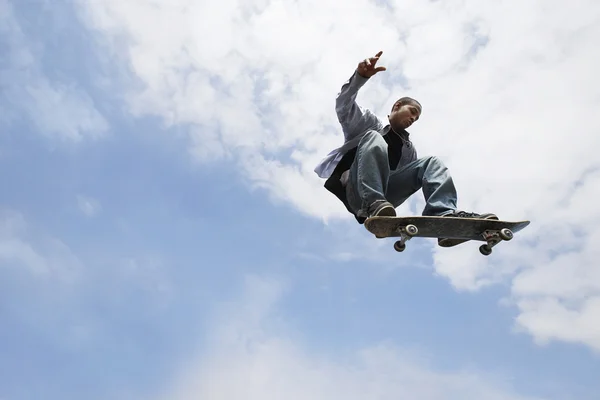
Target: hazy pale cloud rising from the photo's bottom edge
{"x":251,"y":352}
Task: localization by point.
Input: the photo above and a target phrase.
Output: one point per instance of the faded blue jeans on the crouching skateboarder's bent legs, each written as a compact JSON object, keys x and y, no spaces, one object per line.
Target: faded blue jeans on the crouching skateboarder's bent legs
{"x":370,"y":179}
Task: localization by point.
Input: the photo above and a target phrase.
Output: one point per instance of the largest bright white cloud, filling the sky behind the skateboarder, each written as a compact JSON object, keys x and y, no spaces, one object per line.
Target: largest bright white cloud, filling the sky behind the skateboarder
{"x":509,"y":92}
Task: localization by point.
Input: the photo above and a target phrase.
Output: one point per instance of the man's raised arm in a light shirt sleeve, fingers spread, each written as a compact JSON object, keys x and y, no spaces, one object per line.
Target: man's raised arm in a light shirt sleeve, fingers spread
{"x":353,"y":118}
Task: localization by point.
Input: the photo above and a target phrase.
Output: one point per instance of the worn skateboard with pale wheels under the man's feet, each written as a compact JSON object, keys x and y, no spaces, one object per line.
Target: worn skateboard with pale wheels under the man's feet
{"x":486,"y":230}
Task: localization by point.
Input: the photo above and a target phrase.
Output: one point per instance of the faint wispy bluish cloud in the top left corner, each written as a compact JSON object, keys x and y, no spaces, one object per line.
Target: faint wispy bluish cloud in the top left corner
{"x":59,"y":110}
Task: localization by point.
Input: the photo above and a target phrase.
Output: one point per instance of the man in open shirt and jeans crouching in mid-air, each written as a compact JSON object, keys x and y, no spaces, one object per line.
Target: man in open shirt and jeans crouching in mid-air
{"x":377,"y":169}
